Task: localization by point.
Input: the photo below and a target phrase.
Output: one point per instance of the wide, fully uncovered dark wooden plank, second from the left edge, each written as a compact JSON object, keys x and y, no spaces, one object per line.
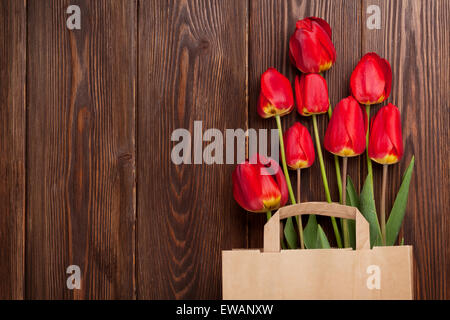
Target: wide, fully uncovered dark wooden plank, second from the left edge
{"x":81,"y":152}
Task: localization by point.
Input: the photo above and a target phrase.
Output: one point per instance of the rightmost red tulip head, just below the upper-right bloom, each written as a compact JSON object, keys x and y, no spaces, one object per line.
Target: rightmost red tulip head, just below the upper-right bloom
{"x":385,"y":143}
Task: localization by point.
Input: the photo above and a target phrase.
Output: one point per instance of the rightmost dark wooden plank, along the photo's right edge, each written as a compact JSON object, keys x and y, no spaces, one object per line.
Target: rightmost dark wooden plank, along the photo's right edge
{"x":414,"y":40}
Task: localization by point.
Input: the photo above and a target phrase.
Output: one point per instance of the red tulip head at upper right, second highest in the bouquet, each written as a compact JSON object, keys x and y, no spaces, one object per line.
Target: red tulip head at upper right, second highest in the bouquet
{"x":370,"y":82}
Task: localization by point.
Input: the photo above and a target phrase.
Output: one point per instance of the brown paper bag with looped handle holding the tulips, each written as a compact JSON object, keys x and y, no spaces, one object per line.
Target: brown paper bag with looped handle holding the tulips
{"x":364,"y":273}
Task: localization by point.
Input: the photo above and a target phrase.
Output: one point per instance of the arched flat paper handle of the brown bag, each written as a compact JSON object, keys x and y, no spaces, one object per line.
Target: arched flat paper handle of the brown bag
{"x":272,"y":227}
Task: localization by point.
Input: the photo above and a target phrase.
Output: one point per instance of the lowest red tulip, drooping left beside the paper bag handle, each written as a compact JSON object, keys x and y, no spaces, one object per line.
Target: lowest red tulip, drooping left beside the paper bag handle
{"x":256,"y":189}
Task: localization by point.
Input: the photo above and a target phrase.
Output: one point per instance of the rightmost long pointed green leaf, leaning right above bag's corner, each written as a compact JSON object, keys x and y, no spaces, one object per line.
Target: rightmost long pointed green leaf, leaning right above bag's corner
{"x":398,"y":210}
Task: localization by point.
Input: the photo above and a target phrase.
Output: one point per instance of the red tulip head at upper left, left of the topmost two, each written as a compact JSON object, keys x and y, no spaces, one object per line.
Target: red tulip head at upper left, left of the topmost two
{"x":276,"y":97}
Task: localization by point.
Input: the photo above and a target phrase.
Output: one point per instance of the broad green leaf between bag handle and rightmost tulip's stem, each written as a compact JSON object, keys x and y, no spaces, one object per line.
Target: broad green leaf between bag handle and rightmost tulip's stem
{"x":369,"y":211}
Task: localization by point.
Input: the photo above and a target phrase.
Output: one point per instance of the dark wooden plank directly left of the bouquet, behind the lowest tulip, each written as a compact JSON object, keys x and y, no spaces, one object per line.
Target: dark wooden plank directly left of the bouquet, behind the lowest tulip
{"x":192,"y":66}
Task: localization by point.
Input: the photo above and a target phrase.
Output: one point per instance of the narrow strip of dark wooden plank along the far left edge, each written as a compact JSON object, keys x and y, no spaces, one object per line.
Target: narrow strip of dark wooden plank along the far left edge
{"x":12,"y":147}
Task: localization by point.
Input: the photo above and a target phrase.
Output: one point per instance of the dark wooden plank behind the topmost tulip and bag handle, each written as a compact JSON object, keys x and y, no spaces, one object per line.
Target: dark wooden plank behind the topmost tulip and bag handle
{"x":271,"y":25}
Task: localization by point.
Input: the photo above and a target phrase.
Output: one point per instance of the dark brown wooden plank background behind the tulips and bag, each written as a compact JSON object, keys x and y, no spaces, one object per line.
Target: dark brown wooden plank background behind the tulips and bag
{"x":86,"y":118}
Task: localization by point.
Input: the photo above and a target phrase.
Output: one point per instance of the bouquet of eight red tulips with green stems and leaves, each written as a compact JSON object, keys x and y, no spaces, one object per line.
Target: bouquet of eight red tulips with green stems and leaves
{"x":260,"y":186}
